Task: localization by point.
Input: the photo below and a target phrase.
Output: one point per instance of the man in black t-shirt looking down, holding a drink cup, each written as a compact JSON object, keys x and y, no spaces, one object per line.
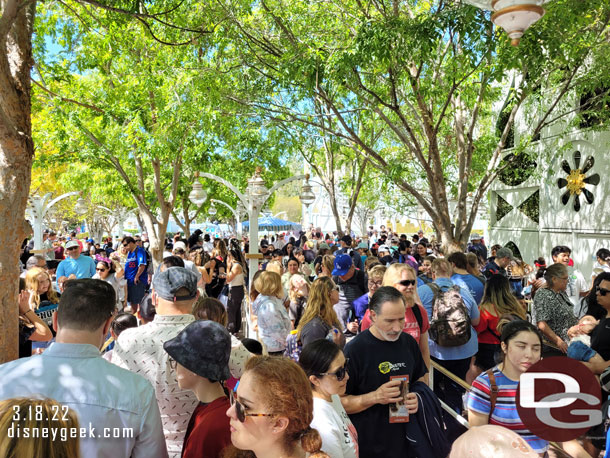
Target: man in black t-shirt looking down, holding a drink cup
{"x":374,"y":356}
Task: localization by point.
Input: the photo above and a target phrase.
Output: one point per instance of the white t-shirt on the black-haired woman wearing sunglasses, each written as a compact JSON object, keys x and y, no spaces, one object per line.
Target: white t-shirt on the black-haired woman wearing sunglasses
{"x":339,"y":436}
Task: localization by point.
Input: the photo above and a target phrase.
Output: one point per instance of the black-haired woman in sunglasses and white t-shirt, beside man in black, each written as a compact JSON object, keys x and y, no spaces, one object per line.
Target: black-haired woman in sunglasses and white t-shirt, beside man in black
{"x":326,"y":366}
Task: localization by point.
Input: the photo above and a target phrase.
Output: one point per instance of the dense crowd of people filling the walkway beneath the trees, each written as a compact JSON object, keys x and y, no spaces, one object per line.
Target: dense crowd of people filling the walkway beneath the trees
{"x":344,"y":332}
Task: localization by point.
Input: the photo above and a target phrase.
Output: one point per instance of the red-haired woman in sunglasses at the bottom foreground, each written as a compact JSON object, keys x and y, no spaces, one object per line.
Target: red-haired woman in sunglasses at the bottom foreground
{"x":271,"y":412}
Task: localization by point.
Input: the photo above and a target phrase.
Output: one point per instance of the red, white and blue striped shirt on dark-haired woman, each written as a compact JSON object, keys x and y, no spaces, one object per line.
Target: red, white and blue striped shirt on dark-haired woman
{"x":505,"y":412}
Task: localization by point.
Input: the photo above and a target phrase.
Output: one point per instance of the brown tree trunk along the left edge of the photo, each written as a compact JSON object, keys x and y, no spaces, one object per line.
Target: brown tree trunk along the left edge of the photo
{"x":16,"y":153}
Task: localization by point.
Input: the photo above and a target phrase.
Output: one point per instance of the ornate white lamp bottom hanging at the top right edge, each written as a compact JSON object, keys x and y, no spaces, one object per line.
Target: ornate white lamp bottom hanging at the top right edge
{"x":514,"y":16}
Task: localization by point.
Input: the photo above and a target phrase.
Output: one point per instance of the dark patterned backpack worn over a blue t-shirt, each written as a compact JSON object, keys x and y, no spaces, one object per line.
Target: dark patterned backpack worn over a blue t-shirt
{"x":450,"y":325}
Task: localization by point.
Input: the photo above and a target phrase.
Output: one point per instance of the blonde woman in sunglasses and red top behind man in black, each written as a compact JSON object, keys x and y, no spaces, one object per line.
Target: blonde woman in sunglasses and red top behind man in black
{"x":403,"y":278}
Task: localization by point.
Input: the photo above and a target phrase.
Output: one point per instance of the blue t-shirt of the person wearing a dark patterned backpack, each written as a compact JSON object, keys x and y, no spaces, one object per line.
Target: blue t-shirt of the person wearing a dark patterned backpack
{"x":451,"y":353}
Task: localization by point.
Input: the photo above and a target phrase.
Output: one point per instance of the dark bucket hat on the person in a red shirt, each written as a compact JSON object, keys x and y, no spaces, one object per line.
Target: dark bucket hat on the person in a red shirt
{"x":203,"y":347}
